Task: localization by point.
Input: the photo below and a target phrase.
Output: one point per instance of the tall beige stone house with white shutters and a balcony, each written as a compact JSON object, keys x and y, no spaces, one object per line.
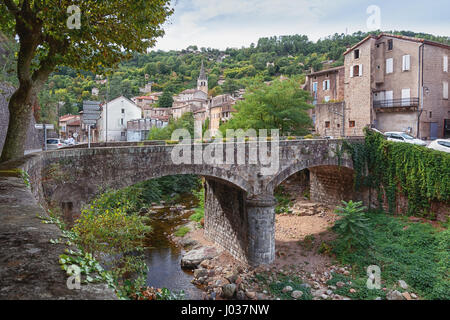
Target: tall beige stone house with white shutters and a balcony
{"x":397,"y":83}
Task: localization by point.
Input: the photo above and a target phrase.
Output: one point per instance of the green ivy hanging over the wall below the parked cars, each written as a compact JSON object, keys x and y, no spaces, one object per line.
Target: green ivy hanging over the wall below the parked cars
{"x":420,"y":174}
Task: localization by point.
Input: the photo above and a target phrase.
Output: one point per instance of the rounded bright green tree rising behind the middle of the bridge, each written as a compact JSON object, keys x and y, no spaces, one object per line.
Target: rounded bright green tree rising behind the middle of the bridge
{"x":281,"y":105}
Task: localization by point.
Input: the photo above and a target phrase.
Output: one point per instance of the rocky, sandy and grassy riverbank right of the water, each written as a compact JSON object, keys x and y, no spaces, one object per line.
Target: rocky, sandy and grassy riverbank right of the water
{"x":312,"y":264}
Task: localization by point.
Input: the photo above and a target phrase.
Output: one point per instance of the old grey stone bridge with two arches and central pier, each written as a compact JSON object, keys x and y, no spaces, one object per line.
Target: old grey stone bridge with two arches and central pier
{"x":239,"y":205}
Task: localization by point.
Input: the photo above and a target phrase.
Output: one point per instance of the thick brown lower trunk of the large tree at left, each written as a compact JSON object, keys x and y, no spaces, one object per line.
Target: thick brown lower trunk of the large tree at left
{"x":20,"y":112}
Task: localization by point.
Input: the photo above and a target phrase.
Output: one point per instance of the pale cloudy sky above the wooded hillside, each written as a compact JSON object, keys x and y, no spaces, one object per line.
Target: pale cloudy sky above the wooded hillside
{"x":221,"y":24}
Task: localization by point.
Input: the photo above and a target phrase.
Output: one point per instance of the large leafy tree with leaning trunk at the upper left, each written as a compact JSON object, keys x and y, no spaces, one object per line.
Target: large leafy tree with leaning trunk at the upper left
{"x":109,"y":32}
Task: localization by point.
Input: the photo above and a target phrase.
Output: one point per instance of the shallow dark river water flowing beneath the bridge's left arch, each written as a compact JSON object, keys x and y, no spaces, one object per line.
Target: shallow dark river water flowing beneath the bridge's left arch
{"x":164,"y":256}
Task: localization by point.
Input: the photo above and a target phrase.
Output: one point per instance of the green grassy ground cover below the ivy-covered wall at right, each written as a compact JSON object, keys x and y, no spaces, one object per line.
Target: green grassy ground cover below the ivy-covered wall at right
{"x":415,"y":252}
